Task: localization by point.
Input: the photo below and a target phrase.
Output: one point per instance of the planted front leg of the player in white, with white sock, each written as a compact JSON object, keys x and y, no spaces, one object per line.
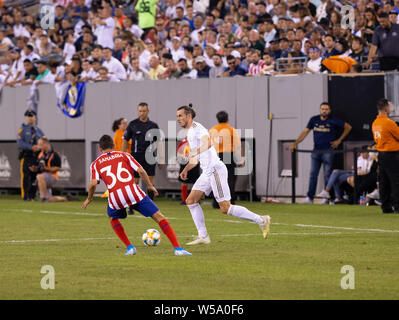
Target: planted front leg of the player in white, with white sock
{"x":198,"y":216}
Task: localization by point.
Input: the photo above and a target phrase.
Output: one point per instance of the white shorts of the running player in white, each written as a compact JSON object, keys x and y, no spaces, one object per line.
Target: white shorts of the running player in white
{"x":215,"y":182}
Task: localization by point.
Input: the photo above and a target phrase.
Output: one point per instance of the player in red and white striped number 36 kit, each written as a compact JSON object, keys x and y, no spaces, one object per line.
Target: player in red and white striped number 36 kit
{"x":116,"y":169}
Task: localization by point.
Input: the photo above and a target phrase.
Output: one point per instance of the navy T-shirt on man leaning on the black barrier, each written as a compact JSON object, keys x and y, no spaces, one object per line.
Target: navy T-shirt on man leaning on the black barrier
{"x":324,"y":131}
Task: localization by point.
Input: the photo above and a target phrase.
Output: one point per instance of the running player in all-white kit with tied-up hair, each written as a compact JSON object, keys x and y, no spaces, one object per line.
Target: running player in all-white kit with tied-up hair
{"x":213,"y":178}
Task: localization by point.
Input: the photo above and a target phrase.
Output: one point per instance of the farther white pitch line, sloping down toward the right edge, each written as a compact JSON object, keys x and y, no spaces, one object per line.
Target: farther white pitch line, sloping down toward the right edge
{"x":212,"y":220}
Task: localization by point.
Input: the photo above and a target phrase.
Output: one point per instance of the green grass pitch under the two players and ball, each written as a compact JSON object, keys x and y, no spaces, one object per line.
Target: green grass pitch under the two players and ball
{"x":302,"y":259}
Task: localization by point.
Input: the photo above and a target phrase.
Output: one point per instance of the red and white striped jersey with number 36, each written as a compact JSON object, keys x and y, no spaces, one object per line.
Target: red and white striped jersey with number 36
{"x":116,"y":170}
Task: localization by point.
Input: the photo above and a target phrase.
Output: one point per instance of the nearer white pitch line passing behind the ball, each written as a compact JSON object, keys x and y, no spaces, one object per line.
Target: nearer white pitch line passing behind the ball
{"x":185,"y":236}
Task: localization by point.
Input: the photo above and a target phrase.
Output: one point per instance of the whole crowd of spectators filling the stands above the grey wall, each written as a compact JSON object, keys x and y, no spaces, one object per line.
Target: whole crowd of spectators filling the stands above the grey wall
{"x":114,"y":40}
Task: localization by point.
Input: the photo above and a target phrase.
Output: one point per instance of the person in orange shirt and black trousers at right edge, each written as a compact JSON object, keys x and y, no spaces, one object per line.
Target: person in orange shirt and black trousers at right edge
{"x":386,"y":136}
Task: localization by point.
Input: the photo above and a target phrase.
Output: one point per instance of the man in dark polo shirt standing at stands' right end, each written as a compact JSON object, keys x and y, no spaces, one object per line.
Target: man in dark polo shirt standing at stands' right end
{"x":386,"y":42}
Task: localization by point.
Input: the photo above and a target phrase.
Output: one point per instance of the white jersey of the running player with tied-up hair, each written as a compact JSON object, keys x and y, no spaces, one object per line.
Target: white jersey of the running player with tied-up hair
{"x":208,"y":159}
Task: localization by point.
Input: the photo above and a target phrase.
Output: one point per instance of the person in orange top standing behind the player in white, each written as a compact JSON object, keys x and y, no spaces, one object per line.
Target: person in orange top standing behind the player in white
{"x":227,"y":143}
